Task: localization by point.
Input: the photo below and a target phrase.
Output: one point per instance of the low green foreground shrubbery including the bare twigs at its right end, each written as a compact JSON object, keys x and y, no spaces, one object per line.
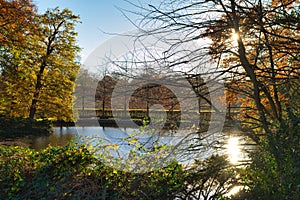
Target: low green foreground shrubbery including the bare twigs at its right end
{"x":72,"y":172}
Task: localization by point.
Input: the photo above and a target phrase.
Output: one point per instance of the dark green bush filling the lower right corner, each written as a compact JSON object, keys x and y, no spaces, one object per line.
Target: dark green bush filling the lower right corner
{"x":275,"y":169}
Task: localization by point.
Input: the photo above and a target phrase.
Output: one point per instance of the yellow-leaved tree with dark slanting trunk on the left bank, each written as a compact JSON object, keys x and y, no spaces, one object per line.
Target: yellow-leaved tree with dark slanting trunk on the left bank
{"x":57,"y":59}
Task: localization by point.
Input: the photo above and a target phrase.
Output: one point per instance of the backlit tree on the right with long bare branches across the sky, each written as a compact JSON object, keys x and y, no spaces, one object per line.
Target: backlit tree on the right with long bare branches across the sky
{"x":255,"y":46}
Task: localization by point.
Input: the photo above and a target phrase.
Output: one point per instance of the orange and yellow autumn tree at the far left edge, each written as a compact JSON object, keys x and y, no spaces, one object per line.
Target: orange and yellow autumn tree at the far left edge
{"x":15,"y":27}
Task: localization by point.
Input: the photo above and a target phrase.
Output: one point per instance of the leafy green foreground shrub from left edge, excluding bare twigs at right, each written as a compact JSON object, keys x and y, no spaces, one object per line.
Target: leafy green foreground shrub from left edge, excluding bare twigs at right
{"x":65,"y":173}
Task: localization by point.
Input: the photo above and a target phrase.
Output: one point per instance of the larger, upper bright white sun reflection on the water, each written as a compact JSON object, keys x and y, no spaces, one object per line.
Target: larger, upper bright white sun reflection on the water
{"x":233,"y":150}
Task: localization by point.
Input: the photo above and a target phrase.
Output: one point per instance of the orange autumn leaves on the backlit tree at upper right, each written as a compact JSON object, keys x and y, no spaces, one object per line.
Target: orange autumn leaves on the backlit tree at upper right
{"x":270,"y":44}
